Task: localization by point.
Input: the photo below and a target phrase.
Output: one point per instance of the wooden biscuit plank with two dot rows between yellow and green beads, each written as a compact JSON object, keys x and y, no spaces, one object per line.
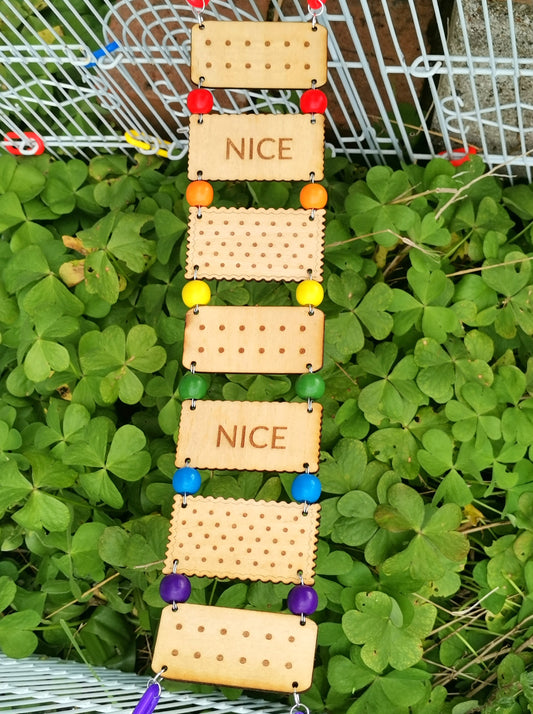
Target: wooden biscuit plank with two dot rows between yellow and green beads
{"x":255,"y":340}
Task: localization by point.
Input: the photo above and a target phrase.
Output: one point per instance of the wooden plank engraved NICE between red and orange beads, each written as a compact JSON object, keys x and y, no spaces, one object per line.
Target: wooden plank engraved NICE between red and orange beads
{"x":256,"y":147}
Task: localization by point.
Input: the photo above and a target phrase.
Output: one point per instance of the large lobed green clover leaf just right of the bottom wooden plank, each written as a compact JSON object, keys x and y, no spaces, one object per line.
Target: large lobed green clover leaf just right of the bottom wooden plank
{"x":384,"y":642}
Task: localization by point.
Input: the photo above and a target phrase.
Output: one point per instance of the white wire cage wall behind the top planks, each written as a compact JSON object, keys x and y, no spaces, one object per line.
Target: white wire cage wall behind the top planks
{"x":408,"y":79}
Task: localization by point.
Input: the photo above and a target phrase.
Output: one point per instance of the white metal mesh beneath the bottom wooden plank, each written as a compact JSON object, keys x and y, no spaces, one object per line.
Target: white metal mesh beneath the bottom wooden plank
{"x":53,"y":686}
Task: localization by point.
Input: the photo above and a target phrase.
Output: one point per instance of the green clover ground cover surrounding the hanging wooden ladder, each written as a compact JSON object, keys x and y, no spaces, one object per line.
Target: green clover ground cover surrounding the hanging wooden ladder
{"x":425,"y":574}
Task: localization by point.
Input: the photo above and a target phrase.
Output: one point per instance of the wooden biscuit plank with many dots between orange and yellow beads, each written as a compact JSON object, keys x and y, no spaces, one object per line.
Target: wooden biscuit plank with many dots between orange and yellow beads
{"x":255,"y":244}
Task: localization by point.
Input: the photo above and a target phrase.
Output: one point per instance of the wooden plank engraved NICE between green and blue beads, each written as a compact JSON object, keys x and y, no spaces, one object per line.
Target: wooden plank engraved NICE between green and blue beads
{"x":249,"y":436}
